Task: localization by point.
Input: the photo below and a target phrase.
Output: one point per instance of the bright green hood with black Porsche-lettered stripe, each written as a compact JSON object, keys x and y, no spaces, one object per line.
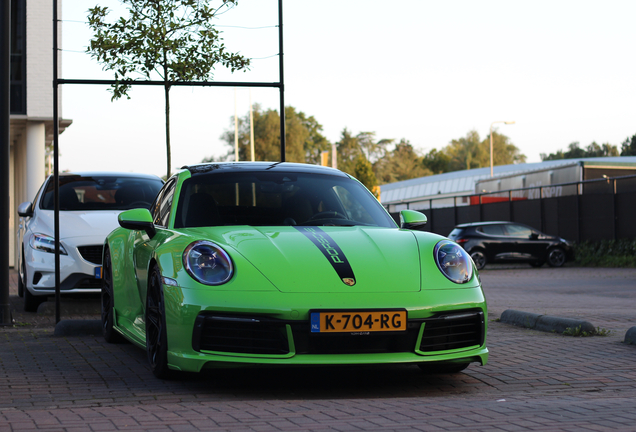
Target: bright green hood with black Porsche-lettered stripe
{"x":331,"y":259}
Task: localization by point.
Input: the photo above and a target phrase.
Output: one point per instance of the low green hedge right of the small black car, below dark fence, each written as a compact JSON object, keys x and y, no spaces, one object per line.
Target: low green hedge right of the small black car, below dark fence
{"x":606,"y":253}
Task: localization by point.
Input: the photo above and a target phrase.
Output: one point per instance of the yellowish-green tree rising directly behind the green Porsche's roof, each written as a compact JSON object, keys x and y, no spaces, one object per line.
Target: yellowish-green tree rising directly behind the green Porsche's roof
{"x":303,"y":138}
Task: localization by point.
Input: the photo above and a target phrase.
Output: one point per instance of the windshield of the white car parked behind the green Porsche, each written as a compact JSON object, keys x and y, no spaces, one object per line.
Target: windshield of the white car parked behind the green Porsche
{"x":86,"y":193}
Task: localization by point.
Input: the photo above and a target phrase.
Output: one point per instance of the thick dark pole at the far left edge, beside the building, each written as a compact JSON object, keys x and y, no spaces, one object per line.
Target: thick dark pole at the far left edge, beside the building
{"x":5,"y":149}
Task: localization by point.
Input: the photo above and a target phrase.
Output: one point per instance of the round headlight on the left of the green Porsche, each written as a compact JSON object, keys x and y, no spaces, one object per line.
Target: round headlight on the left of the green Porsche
{"x":207,"y":263}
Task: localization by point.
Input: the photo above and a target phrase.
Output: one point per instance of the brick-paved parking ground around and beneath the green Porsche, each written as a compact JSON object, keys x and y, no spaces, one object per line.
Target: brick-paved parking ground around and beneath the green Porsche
{"x":534,"y":380}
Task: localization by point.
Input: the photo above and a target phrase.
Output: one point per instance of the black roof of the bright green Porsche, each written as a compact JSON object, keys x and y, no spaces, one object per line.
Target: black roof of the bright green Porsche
{"x":262,"y":166}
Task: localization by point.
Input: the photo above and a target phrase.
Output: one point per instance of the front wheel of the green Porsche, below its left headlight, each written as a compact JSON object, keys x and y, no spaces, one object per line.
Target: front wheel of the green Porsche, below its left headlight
{"x":156,"y":339}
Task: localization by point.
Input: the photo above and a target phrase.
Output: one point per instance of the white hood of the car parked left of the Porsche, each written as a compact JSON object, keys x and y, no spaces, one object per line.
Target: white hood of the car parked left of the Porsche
{"x":94,"y":224}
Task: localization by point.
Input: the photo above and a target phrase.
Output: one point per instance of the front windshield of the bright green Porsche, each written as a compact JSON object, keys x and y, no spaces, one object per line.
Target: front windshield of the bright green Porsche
{"x":272,"y":199}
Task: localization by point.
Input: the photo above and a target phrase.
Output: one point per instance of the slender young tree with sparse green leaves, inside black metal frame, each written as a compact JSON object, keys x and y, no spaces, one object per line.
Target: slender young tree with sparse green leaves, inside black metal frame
{"x":172,"y":39}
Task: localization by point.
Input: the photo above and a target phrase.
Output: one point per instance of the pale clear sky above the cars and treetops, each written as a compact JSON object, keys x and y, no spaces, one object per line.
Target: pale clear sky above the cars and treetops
{"x":426,"y":71}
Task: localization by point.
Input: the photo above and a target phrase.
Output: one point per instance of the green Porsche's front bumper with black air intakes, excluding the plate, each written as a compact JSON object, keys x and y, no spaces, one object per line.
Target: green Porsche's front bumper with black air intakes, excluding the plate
{"x":205,"y":330}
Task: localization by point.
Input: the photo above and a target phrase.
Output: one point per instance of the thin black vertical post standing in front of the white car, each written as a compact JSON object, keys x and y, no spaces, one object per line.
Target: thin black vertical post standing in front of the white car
{"x":56,"y":167}
